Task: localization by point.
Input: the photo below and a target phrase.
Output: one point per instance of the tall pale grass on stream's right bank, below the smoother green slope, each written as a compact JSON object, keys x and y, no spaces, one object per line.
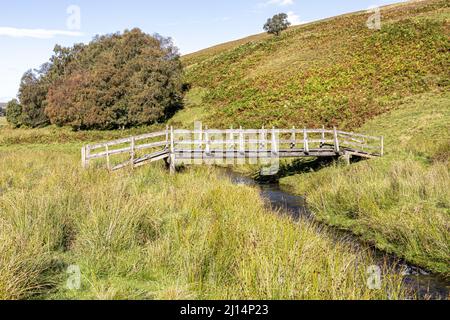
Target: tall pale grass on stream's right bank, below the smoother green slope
{"x":403,"y":207}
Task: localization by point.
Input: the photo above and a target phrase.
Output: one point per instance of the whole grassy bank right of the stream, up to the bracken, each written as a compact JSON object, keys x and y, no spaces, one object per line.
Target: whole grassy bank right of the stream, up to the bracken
{"x":400,"y":202}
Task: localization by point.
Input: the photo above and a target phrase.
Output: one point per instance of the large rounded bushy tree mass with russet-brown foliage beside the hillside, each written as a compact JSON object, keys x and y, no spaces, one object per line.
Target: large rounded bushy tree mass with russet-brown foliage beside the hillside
{"x":118,"y":80}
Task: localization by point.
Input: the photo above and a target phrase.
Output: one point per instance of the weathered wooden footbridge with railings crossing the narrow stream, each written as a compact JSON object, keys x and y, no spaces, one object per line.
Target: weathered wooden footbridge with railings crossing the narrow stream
{"x":230,"y":147}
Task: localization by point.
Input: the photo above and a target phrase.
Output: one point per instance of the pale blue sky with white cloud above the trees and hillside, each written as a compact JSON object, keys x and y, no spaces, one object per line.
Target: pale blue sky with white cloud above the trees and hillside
{"x":29,"y":29}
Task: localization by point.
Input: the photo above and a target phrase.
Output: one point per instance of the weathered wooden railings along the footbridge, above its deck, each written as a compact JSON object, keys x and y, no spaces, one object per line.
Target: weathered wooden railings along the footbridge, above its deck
{"x":202,"y":138}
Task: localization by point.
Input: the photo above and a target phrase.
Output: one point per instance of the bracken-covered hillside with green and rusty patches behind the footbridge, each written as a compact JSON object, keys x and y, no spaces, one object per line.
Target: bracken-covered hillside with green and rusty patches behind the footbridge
{"x":331,"y":72}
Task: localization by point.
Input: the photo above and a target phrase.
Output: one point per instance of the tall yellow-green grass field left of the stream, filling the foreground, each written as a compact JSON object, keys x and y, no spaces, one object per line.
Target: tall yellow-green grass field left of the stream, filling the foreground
{"x":148,"y":235}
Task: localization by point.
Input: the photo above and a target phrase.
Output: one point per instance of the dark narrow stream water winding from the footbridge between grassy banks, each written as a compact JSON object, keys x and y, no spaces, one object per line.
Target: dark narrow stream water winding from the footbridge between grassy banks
{"x":424,"y":284}
